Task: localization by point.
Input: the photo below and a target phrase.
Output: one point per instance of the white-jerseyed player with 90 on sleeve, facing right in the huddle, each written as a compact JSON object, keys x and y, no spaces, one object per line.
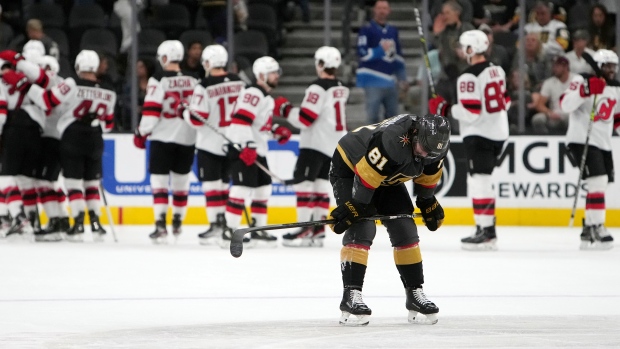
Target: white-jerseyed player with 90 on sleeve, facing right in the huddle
{"x":250,"y":127}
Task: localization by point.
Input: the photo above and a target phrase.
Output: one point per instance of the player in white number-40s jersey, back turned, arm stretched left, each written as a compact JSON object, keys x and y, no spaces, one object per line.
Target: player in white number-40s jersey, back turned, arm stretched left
{"x":86,"y":109}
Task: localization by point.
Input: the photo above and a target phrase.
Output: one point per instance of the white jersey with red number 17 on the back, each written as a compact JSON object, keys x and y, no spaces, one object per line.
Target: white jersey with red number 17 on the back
{"x":214,"y":99}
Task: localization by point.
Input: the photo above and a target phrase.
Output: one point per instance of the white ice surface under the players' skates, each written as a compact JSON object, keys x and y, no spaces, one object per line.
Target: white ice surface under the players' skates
{"x":537,"y":291}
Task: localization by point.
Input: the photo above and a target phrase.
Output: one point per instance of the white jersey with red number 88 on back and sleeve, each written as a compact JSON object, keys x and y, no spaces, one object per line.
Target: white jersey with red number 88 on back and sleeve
{"x":482,"y":102}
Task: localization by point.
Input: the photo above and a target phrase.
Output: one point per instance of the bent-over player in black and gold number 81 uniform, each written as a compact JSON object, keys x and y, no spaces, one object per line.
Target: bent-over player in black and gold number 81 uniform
{"x":369,"y":168}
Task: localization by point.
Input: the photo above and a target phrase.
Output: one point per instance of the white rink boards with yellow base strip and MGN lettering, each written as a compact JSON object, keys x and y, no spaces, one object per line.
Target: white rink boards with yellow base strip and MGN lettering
{"x":535,"y":184}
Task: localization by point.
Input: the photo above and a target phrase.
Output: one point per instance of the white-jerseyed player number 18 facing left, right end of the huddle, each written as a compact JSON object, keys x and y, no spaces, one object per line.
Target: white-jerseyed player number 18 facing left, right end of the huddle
{"x":322,"y":120}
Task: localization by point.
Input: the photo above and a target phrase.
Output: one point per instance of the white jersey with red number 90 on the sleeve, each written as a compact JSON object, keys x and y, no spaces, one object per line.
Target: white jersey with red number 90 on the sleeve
{"x":251,"y":119}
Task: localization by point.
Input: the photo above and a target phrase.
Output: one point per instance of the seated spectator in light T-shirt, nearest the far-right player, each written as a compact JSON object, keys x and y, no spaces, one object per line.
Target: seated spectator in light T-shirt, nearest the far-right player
{"x":550,"y":119}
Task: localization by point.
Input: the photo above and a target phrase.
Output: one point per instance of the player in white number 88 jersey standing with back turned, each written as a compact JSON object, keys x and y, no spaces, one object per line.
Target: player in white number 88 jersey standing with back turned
{"x":481,"y":111}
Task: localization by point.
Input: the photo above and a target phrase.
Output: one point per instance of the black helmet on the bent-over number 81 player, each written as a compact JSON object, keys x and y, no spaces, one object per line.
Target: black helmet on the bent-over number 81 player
{"x":432,"y":132}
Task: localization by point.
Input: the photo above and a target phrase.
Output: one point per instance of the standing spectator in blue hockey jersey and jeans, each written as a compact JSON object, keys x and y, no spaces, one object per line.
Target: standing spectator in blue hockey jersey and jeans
{"x":381,"y":64}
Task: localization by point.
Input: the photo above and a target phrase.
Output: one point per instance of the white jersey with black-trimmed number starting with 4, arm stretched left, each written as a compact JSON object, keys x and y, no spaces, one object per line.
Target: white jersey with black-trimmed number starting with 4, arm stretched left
{"x":76,"y":99}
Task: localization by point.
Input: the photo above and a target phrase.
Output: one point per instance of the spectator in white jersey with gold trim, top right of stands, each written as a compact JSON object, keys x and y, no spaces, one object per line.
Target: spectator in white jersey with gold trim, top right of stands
{"x":552,"y":33}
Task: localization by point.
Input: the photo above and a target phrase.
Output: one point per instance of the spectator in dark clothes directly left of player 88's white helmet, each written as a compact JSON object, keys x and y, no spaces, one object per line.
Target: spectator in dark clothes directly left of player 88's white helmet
{"x":447,"y":29}
